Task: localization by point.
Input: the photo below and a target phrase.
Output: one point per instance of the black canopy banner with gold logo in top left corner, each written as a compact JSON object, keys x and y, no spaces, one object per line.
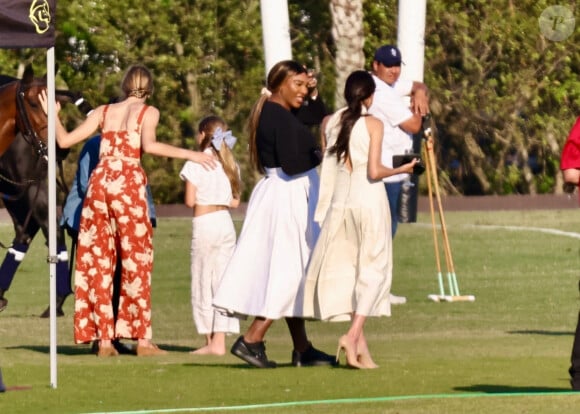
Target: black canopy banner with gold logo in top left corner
{"x":27,"y":23}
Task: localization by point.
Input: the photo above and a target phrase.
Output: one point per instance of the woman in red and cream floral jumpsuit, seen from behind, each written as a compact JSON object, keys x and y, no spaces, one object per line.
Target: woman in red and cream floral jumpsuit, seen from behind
{"x":115,"y":217}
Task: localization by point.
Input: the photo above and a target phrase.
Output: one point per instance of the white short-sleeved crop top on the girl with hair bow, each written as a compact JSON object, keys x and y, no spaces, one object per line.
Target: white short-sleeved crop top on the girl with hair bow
{"x":212,"y":186}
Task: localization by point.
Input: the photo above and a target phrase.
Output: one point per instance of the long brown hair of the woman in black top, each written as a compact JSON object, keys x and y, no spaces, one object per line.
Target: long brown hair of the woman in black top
{"x":276,"y":77}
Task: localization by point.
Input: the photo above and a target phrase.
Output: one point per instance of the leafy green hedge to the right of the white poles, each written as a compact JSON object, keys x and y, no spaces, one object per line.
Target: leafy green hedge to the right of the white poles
{"x":503,"y":95}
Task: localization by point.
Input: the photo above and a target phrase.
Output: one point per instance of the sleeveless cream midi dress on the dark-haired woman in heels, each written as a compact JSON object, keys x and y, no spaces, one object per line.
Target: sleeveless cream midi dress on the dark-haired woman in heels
{"x":350,"y":269}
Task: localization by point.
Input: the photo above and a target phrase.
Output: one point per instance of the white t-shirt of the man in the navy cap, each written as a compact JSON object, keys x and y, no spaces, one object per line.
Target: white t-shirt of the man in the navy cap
{"x":389,"y":106}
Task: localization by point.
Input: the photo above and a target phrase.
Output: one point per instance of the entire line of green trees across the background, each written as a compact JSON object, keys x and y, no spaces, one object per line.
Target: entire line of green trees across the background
{"x":503,"y":95}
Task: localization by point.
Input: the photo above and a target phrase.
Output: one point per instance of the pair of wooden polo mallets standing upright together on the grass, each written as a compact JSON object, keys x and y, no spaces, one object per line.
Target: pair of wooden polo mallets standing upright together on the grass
{"x":433,"y":186}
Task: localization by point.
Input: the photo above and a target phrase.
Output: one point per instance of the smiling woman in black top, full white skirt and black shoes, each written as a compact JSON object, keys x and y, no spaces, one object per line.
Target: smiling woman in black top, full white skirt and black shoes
{"x":266,"y":274}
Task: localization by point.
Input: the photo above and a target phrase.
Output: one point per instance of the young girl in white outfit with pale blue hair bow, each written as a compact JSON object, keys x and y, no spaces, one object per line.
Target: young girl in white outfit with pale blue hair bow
{"x":211,"y":193}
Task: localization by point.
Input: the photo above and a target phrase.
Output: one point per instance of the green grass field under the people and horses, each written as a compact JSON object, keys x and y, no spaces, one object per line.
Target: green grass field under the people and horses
{"x":506,"y":352}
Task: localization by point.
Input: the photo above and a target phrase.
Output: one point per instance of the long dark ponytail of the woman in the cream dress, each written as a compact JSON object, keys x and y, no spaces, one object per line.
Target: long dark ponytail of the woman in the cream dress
{"x":358,"y":87}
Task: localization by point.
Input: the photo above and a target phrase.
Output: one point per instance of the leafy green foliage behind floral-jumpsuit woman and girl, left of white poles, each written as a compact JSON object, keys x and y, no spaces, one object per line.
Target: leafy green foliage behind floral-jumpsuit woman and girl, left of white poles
{"x":205,"y":55}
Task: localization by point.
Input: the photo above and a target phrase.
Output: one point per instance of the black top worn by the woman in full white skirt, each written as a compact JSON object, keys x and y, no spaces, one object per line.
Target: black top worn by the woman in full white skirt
{"x":283,"y":141}
